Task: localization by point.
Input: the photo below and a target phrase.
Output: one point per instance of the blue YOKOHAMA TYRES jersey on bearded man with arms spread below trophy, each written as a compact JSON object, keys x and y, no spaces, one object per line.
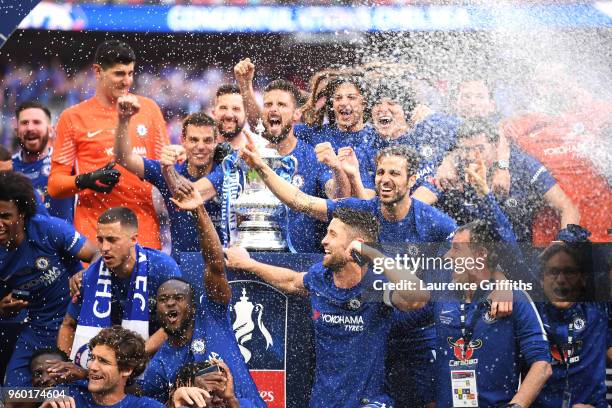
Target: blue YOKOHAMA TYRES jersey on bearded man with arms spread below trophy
{"x":350,"y":328}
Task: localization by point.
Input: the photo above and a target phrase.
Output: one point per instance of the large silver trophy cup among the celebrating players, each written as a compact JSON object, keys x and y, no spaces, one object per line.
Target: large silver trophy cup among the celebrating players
{"x":256,"y":208}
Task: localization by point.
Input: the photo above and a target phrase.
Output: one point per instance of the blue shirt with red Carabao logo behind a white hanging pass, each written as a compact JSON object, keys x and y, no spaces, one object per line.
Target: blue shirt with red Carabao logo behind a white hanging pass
{"x":496,"y":348}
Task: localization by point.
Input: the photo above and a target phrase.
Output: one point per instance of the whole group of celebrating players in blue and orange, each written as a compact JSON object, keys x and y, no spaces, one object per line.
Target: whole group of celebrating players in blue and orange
{"x":371,"y":164}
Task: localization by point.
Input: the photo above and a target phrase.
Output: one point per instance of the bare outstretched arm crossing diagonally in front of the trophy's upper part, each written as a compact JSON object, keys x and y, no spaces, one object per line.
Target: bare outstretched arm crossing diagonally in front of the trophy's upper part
{"x":286,"y":192}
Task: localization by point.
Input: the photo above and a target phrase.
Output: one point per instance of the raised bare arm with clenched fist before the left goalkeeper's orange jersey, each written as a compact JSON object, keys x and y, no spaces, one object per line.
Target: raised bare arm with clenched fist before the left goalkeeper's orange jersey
{"x":127,"y":106}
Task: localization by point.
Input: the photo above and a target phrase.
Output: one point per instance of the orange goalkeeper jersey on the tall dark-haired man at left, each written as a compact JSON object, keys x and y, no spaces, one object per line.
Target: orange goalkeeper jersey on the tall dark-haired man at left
{"x":85,"y":141}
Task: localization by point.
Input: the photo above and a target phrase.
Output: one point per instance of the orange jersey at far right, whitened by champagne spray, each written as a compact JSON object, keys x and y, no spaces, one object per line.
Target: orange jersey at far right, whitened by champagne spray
{"x":567,"y":145}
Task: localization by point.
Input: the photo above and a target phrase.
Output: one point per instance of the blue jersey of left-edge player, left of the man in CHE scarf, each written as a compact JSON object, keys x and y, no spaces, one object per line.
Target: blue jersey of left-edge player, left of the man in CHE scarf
{"x":38,"y":271}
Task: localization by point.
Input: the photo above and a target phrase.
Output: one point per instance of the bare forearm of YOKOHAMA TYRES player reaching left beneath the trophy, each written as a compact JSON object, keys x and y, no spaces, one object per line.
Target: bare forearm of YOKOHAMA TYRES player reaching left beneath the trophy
{"x":287,"y":280}
